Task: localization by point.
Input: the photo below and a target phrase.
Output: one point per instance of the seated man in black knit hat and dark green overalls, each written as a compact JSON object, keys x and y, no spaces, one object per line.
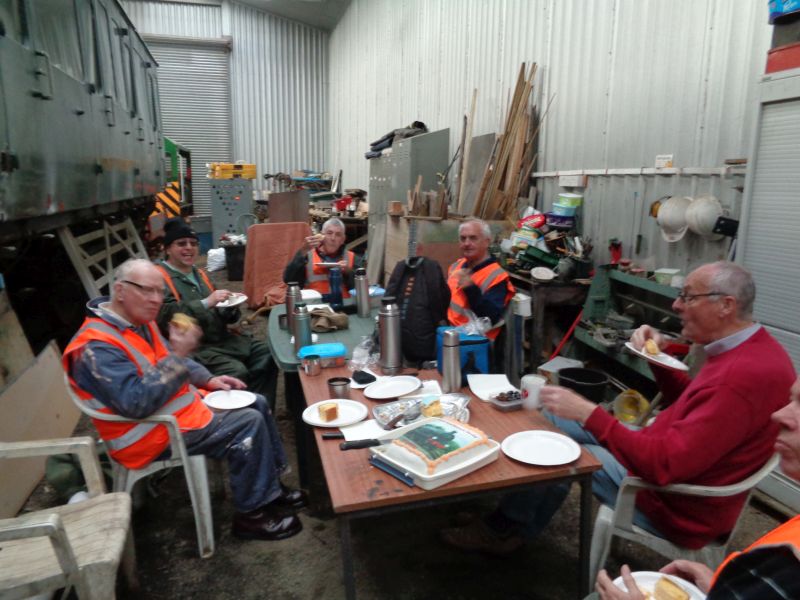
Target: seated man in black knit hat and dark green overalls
{"x":189,"y":291}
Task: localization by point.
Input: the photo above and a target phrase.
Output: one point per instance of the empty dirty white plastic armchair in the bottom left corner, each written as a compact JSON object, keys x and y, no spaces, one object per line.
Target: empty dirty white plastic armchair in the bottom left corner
{"x":75,"y":546}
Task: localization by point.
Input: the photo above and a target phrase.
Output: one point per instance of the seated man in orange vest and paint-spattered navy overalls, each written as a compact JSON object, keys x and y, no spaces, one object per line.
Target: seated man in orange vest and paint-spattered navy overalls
{"x":119,"y":363}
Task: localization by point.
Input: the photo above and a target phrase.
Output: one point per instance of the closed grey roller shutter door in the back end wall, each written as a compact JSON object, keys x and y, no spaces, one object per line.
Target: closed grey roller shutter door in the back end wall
{"x":194,"y":87}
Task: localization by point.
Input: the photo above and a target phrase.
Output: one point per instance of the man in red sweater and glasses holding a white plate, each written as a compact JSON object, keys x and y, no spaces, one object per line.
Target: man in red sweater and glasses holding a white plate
{"x":716,"y":429}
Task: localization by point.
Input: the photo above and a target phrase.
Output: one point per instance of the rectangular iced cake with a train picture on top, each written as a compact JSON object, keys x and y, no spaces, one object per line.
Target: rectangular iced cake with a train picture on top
{"x":437,"y":444}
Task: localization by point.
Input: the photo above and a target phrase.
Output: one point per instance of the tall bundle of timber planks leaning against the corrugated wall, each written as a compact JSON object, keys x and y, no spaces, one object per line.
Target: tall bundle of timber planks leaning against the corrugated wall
{"x":513,"y":157}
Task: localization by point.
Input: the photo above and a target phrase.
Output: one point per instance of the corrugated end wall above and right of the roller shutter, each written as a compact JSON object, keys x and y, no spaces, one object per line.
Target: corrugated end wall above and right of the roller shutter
{"x":278,"y":79}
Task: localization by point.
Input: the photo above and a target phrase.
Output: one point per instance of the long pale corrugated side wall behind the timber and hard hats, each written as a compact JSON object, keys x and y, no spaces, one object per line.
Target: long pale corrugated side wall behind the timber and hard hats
{"x":629,"y":80}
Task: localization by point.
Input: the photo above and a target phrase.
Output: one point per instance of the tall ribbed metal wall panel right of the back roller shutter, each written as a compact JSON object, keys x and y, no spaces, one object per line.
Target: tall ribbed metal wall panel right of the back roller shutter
{"x":279,"y":86}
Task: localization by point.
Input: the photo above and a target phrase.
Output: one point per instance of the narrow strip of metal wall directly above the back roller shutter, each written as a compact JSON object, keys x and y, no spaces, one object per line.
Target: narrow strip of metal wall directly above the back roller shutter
{"x":171,"y":18}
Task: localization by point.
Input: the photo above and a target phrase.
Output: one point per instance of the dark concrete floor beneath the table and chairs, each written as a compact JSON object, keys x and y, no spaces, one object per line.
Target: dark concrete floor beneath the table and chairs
{"x":398,"y":557}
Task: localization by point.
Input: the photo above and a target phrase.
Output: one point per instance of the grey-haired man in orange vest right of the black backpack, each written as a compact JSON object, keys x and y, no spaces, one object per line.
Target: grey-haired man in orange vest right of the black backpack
{"x":476,"y":281}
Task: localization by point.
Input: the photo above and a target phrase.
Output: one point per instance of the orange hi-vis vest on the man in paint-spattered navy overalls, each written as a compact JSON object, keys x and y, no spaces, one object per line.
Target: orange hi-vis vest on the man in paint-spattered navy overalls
{"x":135,"y":445}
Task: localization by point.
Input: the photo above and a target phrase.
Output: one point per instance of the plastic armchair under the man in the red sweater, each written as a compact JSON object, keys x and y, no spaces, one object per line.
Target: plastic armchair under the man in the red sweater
{"x":618,"y":522}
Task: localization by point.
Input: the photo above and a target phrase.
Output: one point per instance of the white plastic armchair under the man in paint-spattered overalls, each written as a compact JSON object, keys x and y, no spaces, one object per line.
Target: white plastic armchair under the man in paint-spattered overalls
{"x":194,"y":469}
